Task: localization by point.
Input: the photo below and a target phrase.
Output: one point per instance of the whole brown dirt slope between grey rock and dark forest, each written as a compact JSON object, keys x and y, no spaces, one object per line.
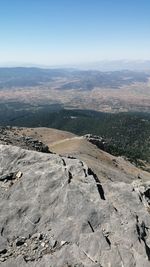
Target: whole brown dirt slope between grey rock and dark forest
{"x":104,"y":165}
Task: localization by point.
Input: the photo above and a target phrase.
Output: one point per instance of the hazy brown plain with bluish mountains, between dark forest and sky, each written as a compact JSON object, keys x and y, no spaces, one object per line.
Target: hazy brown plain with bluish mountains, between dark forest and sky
{"x":116,"y":91}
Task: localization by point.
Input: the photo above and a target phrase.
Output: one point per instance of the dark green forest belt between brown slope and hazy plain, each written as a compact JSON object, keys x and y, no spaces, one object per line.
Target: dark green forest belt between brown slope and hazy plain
{"x":127,"y":134}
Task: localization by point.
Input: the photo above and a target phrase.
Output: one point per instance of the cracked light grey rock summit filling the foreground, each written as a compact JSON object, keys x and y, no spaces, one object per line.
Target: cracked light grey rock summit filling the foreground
{"x":56,"y":212}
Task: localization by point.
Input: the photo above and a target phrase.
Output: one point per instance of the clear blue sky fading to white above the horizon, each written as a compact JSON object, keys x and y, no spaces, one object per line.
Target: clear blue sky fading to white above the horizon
{"x":52,"y":32}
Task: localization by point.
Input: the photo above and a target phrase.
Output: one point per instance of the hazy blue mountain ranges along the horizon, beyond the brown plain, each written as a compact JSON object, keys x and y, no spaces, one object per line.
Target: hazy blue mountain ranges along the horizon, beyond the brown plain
{"x":74,"y":78}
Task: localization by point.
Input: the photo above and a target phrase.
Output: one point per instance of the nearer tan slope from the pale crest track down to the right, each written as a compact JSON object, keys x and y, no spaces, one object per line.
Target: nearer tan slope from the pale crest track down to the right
{"x":104,"y":165}
